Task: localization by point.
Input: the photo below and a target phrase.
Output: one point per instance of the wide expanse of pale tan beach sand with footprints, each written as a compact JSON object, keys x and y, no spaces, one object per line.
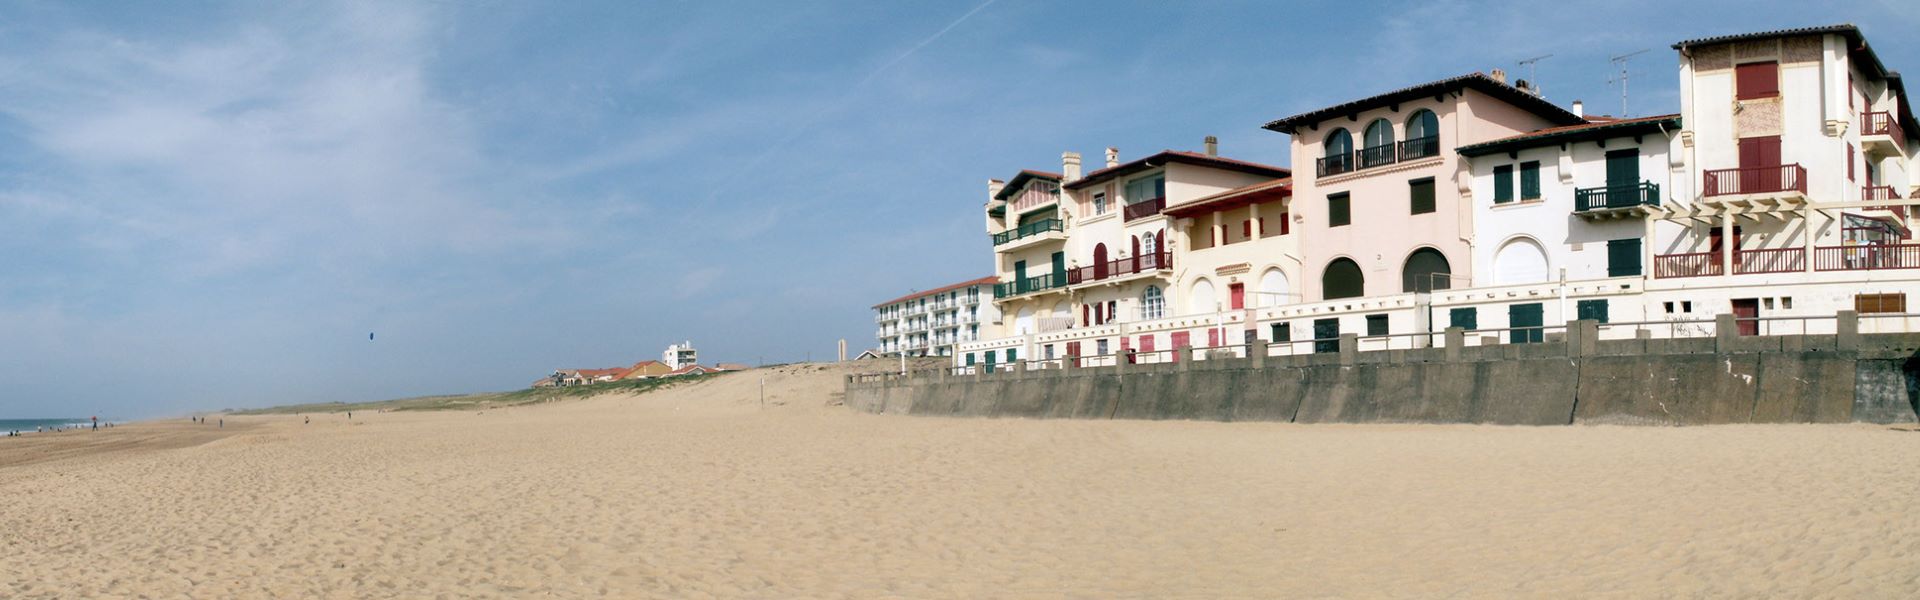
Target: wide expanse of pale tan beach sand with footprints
{"x":698,"y":493}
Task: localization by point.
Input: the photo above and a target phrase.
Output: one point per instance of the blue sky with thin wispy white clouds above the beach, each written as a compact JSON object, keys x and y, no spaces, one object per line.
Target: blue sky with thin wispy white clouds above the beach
{"x":216,"y":205}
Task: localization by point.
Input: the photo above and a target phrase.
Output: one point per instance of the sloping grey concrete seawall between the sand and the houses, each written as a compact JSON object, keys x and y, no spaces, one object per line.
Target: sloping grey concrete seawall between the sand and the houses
{"x":1685,"y":382}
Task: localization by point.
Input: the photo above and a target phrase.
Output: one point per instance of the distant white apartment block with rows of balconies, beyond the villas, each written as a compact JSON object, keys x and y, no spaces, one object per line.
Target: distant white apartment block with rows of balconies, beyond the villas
{"x":932,"y":322}
